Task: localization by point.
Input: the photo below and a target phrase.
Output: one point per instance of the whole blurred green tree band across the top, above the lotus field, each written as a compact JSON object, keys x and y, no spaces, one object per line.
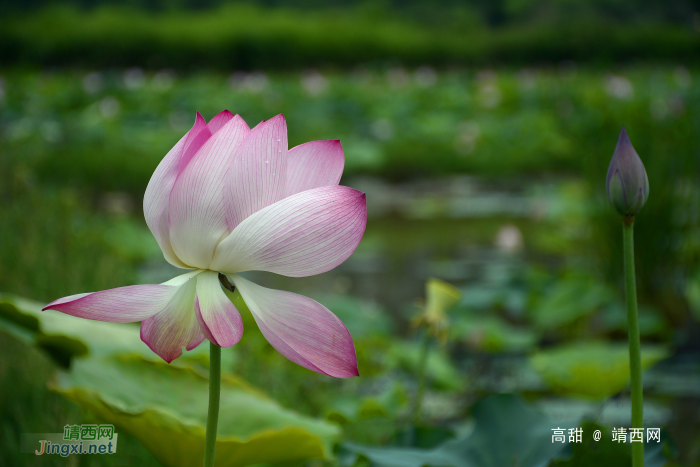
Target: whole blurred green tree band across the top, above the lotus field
{"x":276,"y":34}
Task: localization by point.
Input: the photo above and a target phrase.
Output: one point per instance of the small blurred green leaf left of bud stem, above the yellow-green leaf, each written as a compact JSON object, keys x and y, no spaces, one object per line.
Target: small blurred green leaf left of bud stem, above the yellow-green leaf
{"x":568,"y":300}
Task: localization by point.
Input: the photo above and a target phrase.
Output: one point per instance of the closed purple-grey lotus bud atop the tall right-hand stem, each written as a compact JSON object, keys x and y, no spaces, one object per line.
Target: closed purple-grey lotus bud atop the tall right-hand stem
{"x":627,"y":182}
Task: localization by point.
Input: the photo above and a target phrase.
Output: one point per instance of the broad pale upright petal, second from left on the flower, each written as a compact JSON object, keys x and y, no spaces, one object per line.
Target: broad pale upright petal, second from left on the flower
{"x":197,"y":208}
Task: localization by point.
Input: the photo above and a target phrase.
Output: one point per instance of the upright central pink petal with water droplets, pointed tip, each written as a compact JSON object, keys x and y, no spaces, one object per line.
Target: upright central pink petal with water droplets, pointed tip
{"x":257,"y":175}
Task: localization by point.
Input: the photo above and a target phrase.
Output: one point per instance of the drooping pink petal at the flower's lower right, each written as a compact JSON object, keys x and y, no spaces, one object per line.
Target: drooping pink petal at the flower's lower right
{"x":301,"y":329}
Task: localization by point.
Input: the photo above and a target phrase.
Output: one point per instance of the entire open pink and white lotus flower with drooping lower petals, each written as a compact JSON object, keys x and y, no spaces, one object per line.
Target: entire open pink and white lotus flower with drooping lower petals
{"x":230,"y":199}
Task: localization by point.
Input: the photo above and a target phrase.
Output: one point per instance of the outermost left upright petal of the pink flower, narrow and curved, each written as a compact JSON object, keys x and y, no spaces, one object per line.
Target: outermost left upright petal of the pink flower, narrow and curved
{"x":157,"y":196}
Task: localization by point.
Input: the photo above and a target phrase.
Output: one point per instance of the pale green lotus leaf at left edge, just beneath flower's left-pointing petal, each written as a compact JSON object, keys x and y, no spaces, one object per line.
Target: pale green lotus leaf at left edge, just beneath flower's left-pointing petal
{"x":66,"y":336}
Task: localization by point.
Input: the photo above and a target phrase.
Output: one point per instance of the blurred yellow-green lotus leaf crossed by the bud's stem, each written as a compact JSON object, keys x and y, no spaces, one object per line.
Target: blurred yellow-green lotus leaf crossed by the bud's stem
{"x":592,"y":369}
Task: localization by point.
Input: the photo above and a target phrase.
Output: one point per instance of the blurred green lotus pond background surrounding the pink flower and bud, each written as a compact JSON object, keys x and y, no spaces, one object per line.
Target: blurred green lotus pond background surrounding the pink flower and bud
{"x":481,"y":132}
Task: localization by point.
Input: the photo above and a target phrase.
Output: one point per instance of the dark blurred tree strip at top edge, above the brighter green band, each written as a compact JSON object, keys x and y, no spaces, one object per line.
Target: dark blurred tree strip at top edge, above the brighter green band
{"x":493,"y":13}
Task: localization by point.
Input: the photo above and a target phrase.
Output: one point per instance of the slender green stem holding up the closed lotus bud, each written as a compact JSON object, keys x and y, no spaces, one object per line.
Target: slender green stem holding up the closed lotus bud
{"x":633,"y":335}
